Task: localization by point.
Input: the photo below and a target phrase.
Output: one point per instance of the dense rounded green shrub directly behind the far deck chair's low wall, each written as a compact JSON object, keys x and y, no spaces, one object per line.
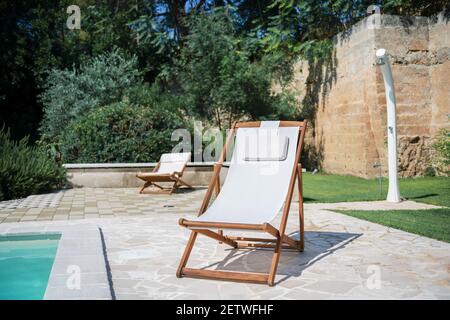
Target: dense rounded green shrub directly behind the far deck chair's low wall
{"x":124,"y":131}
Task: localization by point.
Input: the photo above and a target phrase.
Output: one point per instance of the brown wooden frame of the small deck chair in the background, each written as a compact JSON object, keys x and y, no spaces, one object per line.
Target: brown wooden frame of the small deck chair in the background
{"x":174,"y":177}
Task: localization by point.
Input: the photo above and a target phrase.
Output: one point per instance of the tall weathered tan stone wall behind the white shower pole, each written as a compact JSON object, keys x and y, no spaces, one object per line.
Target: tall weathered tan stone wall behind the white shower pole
{"x":348,"y":99}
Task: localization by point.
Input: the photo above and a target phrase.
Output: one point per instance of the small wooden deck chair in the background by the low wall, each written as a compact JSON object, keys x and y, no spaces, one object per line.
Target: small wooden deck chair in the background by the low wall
{"x":170,"y":168}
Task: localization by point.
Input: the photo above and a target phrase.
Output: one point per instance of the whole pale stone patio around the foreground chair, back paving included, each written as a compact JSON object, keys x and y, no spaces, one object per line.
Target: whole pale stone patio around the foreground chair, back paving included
{"x":344,"y":258}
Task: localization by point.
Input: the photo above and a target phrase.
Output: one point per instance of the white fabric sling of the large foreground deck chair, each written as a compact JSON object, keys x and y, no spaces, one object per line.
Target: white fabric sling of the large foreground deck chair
{"x":254,"y":191}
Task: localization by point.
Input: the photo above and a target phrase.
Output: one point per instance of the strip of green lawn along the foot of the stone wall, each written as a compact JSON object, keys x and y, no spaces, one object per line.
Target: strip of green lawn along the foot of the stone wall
{"x":337,"y":188}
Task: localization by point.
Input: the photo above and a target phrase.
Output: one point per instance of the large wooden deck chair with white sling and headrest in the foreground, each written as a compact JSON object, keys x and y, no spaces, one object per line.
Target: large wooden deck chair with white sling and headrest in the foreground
{"x":259,"y":184}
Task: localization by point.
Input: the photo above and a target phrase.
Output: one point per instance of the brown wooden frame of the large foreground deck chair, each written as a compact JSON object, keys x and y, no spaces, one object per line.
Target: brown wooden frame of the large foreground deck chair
{"x":280,"y":240}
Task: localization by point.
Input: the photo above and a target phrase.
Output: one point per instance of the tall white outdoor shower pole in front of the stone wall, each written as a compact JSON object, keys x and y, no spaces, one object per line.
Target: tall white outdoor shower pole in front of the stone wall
{"x":383,"y":62}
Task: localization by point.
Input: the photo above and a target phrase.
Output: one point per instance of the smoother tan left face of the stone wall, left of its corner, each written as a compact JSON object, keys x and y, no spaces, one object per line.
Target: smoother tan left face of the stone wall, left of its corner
{"x":343,"y":127}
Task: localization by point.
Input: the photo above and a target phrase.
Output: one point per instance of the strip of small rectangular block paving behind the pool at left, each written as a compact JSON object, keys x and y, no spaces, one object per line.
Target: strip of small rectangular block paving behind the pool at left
{"x":87,"y":203}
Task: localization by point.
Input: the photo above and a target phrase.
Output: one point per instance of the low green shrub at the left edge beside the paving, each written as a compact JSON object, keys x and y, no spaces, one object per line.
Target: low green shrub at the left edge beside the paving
{"x":26,"y":170}
